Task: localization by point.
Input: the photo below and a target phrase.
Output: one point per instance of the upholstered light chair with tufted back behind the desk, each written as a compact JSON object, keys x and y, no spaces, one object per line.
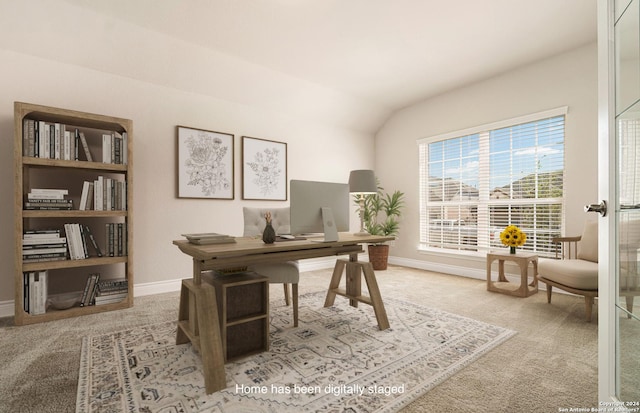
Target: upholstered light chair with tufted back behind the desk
{"x":283,"y":272}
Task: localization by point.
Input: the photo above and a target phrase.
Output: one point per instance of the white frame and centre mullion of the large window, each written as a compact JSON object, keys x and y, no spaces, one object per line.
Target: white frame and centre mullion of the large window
{"x":483,"y":202}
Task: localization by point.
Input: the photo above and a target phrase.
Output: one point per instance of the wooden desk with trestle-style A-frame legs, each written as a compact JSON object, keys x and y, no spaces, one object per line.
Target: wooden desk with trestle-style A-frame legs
{"x":198,"y":321}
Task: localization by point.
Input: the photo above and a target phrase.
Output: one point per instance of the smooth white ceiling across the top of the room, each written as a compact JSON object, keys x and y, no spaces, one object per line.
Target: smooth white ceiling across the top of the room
{"x":391,"y":52}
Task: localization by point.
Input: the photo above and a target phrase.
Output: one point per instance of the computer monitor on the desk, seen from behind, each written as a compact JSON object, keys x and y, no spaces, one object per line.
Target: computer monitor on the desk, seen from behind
{"x":319,"y":207}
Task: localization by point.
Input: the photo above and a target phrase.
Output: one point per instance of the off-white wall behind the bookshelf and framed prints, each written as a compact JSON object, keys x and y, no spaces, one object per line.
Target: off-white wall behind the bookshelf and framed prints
{"x":317,"y":150}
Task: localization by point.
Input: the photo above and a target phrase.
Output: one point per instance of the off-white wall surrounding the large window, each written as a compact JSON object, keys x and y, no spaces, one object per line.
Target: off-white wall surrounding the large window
{"x":566,"y":80}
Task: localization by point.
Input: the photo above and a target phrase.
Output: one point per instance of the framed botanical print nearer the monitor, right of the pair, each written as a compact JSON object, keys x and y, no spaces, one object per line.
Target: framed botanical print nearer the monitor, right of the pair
{"x":264,"y":169}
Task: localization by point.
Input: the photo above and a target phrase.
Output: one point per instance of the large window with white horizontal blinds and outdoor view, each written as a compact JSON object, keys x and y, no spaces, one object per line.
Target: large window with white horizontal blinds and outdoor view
{"x":476,"y":182}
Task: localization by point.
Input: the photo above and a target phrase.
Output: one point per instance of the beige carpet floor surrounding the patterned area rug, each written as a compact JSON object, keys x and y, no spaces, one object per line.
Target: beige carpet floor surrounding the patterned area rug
{"x":550,"y":364}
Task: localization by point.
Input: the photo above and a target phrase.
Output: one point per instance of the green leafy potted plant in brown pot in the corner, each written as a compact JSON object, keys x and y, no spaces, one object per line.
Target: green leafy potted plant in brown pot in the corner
{"x":381,"y":213}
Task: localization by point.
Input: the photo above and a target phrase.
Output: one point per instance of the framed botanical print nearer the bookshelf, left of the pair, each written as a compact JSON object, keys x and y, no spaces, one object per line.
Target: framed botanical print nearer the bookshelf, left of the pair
{"x":205,"y":164}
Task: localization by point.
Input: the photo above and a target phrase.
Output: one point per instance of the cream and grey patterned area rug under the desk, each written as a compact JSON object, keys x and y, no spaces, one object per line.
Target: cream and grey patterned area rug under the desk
{"x":337,"y":360}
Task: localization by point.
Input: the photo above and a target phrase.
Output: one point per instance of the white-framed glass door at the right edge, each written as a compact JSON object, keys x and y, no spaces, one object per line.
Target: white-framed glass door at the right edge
{"x":619,"y":184}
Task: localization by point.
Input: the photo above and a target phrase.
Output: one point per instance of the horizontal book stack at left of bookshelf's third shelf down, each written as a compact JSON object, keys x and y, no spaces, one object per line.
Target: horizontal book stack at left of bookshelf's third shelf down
{"x":43,"y":245}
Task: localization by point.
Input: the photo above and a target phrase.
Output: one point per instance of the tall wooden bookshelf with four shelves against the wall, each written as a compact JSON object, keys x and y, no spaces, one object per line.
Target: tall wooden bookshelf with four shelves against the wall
{"x":69,"y":171}
